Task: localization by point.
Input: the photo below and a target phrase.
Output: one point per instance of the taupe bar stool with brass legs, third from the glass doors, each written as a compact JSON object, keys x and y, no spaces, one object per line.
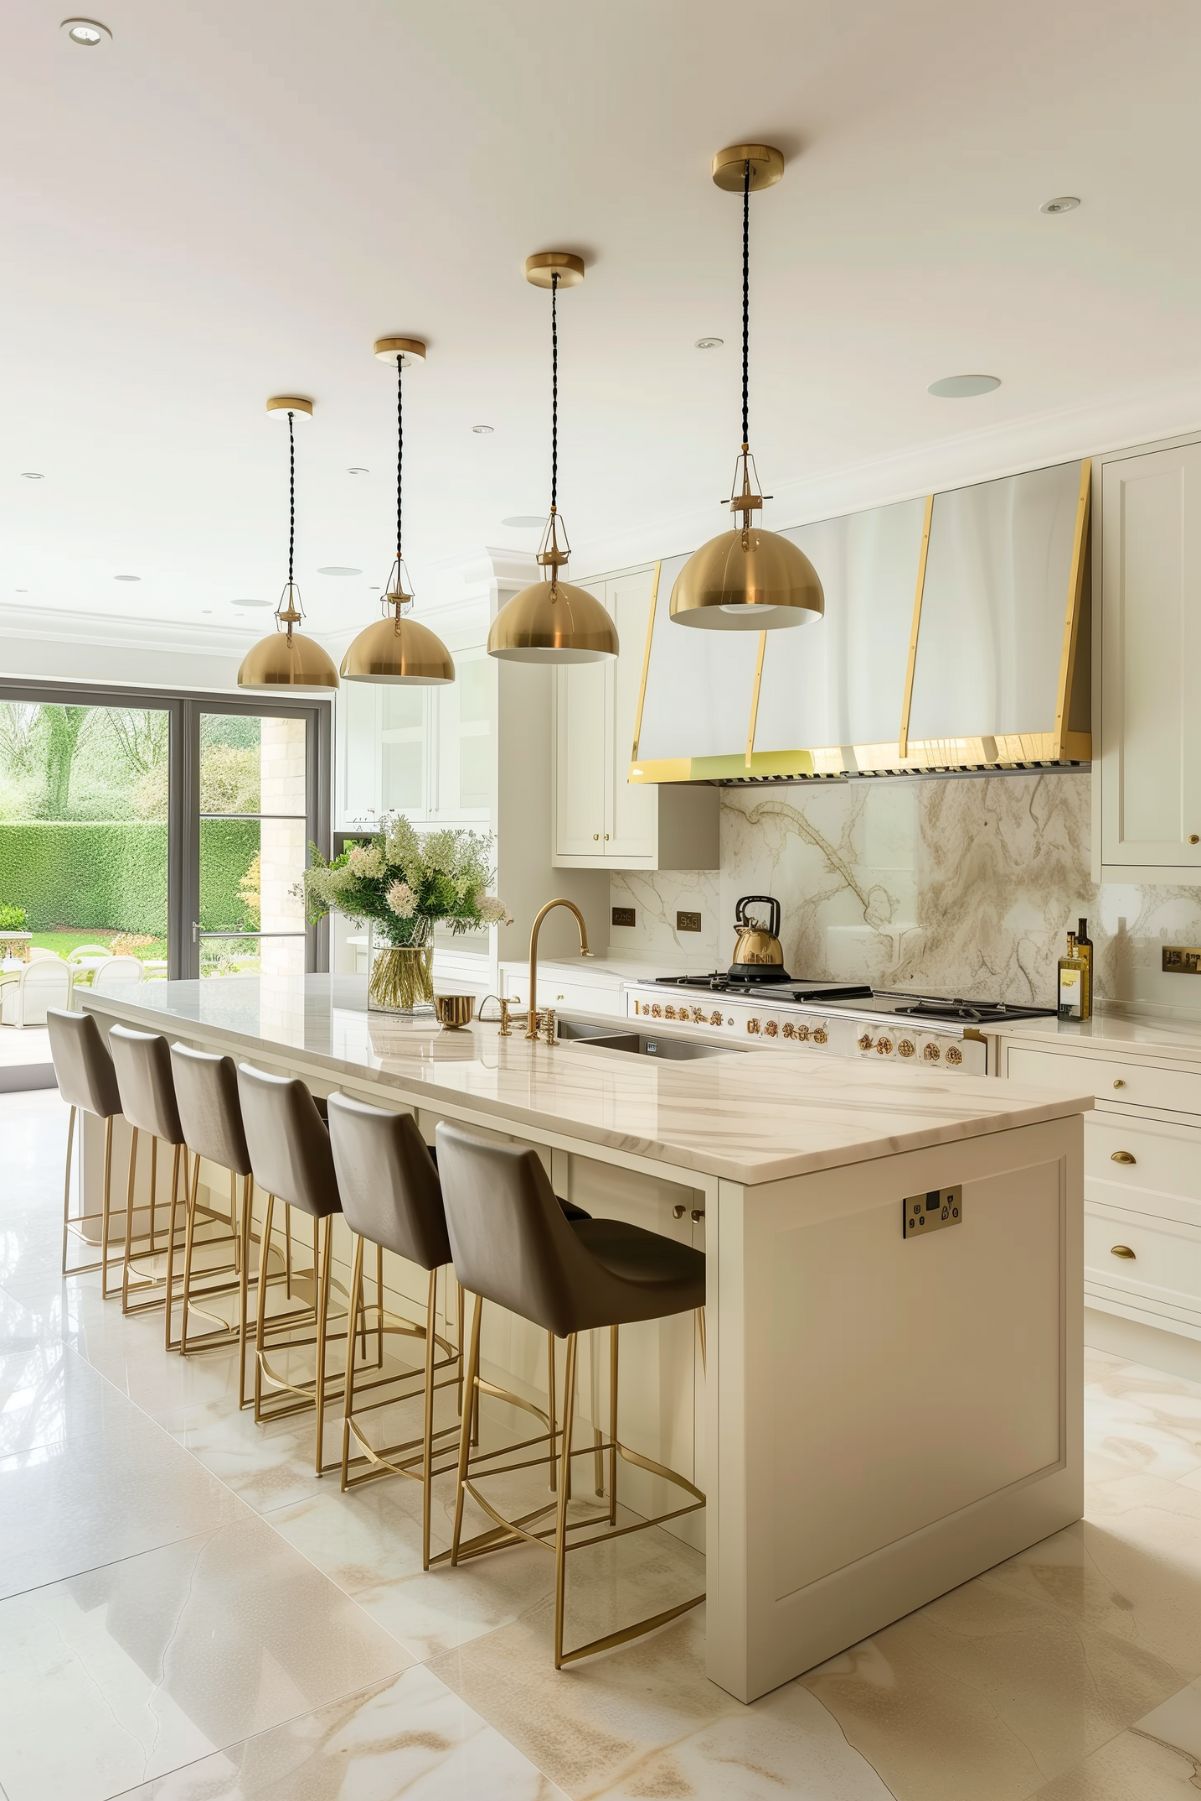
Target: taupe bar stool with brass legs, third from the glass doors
{"x":206,"y":1092}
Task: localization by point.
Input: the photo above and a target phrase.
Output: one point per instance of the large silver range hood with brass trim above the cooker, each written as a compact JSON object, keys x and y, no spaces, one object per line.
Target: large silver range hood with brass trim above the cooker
{"x":957,"y":640}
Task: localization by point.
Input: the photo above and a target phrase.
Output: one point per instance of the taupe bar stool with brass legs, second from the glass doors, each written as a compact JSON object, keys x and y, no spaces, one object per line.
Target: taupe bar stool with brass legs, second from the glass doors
{"x":143,"y":1069}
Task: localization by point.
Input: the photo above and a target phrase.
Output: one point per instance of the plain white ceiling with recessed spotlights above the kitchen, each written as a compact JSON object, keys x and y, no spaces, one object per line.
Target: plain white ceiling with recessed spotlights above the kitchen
{"x":235,"y":199}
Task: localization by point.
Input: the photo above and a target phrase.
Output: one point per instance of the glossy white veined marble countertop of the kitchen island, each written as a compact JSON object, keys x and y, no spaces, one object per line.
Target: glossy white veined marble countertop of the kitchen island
{"x":745,"y":1116}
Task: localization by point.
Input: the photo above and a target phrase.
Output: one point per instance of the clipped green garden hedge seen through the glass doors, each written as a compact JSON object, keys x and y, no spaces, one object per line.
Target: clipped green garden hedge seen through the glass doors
{"x":114,"y":874}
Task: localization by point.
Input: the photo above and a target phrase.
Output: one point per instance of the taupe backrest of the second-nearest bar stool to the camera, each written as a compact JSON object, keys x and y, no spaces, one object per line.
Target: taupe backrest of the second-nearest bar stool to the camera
{"x":390,"y":1182}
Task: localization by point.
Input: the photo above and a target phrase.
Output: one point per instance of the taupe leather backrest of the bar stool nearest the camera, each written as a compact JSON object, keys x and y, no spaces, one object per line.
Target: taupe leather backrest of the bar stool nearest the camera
{"x":509,"y":1235}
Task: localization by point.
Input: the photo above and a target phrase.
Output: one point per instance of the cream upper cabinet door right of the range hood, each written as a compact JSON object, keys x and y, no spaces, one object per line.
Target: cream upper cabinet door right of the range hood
{"x":1151,"y":662}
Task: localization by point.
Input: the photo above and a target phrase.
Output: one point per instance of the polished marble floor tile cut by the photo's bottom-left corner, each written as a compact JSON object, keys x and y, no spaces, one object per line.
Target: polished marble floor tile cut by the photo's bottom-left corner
{"x":132,"y":1670}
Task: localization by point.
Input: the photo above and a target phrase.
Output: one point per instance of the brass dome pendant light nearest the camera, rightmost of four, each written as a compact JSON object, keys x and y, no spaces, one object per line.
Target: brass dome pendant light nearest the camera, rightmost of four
{"x":746,"y":581}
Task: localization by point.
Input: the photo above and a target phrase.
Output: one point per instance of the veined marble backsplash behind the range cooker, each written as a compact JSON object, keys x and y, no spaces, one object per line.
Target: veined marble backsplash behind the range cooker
{"x":943,"y":885}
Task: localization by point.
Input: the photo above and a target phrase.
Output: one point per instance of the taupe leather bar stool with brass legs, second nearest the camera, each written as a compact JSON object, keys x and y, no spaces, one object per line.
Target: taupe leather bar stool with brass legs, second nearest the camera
{"x":392,"y":1199}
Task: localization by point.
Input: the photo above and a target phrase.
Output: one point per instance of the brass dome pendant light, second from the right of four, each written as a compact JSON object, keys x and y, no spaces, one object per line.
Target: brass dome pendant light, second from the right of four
{"x":554,"y":620}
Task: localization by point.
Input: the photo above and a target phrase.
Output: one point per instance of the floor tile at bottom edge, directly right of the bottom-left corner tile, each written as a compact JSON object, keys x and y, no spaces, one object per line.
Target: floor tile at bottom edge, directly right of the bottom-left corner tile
{"x":408,"y":1737}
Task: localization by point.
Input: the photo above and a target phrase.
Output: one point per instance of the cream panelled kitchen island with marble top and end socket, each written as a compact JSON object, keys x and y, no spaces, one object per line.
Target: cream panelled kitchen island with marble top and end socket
{"x":892,"y":1398}
